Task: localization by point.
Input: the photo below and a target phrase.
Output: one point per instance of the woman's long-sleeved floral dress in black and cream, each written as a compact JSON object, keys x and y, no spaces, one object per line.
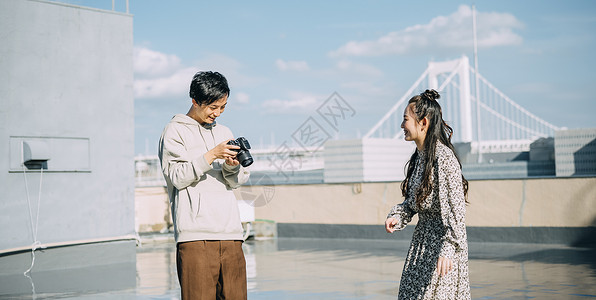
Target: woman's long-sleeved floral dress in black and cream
{"x":440,"y":231}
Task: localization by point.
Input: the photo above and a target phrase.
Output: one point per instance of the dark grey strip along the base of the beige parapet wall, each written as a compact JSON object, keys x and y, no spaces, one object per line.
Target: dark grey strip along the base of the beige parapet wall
{"x":573,"y":236}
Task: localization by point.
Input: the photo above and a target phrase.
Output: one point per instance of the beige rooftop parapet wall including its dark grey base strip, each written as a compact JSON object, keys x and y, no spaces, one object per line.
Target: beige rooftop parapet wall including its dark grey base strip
{"x":553,"y":210}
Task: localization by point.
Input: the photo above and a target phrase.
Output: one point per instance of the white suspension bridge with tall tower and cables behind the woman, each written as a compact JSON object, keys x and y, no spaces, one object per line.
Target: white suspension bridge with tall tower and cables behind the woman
{"x":478,"y":112}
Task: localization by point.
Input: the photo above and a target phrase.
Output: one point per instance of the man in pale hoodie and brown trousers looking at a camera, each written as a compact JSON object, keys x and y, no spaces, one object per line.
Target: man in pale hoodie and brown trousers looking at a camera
{"x":201,"y":170}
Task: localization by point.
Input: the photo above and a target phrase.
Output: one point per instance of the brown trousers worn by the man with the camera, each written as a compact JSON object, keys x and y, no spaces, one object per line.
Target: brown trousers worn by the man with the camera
{"x":209,"y":270}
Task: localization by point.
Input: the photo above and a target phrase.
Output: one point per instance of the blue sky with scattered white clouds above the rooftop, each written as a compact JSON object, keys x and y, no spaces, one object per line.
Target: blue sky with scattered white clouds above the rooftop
{"x":284,"y":59}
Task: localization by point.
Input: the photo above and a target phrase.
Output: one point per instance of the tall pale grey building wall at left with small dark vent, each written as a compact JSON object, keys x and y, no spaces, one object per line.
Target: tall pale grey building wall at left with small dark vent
{"x":66,"y":82}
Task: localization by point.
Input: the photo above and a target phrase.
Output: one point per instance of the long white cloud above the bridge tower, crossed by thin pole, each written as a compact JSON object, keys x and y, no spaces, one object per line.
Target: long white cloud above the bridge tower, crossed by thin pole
{"x":453,"y":32}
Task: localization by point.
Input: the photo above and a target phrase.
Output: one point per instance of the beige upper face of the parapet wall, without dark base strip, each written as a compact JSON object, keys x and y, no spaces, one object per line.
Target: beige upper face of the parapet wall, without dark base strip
{"x":550,"y":202}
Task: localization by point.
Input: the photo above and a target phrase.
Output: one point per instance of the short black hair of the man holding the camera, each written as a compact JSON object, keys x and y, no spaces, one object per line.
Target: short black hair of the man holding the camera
{"x":207,"y":87}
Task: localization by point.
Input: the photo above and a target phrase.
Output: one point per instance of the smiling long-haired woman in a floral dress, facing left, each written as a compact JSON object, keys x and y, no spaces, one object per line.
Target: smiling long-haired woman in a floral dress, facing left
{"x":436,"y":266}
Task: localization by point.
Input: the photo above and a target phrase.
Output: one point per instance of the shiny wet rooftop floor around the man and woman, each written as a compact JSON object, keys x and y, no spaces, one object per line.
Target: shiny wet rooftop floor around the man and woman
{"x":313,"y":269}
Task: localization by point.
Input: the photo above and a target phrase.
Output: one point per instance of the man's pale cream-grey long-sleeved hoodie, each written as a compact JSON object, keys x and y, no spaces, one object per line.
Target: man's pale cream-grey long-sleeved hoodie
{"x":203,"y":204}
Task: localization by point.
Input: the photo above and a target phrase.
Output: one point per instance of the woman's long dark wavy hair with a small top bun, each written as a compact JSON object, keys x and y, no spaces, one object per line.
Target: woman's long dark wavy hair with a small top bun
{"x":426,"y":105}
